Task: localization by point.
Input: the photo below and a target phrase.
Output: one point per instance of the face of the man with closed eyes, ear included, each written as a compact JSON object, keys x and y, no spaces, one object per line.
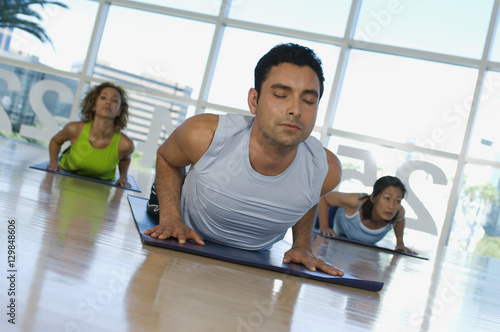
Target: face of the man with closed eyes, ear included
{"x":286,"y":110}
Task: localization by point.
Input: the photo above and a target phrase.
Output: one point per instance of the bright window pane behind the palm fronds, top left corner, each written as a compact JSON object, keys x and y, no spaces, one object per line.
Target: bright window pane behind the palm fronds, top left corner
{"x":66,"y":48}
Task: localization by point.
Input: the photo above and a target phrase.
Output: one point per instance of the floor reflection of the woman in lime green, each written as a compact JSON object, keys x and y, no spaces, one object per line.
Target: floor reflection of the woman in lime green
{"x":75,"y":213}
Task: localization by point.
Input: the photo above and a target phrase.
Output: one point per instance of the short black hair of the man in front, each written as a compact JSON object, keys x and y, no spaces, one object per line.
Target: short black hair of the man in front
{"x":287,"y":53}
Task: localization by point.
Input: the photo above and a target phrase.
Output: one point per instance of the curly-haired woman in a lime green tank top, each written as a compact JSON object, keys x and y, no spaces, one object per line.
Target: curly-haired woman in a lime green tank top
{"x":97,"y":144}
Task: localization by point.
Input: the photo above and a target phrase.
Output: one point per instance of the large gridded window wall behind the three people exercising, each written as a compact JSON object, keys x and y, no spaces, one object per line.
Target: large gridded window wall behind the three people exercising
{"x":411,"y":87}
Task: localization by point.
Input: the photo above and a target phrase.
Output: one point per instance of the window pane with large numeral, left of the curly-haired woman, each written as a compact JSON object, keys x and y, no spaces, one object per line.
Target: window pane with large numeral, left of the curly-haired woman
{"x":34,"y":104}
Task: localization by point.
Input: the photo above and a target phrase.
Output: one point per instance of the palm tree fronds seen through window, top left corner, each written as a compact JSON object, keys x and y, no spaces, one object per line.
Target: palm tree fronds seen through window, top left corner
{"x":18,"y":14}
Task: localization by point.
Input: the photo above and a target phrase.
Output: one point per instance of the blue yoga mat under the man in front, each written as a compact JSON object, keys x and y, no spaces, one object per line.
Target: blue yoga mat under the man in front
{"x":271,"y":259}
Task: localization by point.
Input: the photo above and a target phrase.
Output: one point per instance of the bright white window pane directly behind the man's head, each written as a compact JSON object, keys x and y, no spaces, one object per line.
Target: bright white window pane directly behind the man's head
{"x":239,"y":54}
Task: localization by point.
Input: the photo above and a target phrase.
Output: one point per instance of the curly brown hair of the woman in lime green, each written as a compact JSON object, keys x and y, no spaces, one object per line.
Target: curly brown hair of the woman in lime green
{"x":87,"y":112}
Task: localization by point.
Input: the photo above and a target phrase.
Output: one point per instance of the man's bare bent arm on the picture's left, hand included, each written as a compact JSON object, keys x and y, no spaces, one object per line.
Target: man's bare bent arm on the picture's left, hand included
{"x":185,"y":146}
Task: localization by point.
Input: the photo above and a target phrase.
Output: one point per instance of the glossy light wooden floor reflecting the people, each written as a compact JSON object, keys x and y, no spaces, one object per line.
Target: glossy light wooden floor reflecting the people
{"x":81,"y":266}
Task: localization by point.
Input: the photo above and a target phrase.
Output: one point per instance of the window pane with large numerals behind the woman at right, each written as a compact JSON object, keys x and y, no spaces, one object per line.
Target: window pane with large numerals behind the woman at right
{"x":426,"y":179}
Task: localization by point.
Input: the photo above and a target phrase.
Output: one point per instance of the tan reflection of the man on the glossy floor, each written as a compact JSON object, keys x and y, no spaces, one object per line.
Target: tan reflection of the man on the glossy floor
{"x":166,"y":292}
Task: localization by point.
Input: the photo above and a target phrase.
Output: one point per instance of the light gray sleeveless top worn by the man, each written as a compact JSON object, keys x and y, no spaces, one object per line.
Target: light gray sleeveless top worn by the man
{"x":226,"y":201}
